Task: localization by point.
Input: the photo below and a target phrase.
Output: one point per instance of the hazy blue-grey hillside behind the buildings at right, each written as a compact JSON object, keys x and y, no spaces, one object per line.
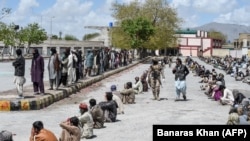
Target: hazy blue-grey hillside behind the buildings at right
{"x":231,"y":30}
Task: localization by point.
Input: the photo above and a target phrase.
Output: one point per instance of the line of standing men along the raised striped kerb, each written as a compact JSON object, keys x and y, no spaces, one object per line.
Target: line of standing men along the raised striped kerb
{"x":68,"y":68}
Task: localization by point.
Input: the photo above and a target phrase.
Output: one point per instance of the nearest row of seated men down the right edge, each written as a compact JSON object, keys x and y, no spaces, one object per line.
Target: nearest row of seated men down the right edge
{"x":216,"y":90}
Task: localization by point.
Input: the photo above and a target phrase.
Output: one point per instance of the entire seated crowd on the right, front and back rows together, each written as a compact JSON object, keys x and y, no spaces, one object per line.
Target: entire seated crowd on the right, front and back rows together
{"x":215,"y":88}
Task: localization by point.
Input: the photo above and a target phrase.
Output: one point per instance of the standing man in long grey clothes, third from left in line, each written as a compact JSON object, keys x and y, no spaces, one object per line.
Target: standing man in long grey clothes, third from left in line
{"x":54,"y":69}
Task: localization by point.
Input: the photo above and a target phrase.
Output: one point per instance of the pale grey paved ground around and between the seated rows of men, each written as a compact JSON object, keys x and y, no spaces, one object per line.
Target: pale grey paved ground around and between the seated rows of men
{"x":136,"y":123}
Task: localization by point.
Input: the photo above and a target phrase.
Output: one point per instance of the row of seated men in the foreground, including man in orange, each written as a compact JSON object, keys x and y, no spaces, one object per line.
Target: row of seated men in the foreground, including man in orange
{"x":93,"y":115}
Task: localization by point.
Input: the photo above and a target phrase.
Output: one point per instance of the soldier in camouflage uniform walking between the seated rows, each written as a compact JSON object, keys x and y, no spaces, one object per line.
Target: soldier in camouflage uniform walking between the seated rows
{"x":154,"y":76}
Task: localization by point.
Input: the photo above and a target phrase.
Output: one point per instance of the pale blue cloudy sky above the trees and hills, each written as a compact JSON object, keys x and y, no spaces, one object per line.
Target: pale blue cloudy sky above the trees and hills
{"x":72,"y":16}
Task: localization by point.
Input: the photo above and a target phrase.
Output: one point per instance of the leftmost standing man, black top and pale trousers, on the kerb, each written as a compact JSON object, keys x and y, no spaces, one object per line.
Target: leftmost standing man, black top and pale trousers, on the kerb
{"x":19,"y":65}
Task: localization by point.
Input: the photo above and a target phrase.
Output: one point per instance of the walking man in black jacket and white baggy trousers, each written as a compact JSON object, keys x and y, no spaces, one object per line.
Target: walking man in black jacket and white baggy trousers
{"x":180,"y":71}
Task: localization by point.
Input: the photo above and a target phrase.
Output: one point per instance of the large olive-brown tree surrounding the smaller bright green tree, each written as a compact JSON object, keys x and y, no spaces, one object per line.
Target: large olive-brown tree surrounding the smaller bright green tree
{"x":162,"y":17}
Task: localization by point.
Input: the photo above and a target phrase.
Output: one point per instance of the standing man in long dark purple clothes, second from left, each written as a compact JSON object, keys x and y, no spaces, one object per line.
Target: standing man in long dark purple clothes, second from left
{"x":37,"y":71}
